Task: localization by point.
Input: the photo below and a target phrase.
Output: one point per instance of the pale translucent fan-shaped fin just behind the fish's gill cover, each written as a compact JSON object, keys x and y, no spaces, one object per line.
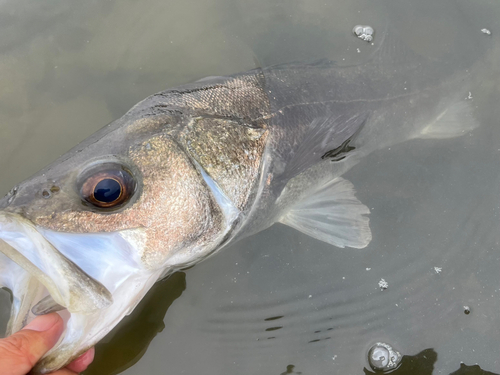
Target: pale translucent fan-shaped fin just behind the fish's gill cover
{"x":333,"y":214}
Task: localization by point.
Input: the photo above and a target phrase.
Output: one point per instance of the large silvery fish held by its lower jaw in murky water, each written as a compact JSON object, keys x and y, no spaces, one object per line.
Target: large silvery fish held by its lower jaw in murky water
{"x":191,"y":170}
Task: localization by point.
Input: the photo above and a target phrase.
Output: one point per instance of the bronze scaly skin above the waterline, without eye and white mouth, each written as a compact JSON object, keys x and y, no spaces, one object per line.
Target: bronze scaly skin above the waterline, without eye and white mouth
{"x":151,"y":140}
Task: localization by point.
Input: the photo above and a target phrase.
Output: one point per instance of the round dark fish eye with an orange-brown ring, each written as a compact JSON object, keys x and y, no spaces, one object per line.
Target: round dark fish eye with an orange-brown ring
{"x":108,"y":187}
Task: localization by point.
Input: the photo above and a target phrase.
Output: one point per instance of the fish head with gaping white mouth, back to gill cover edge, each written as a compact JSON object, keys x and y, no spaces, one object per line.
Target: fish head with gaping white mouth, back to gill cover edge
{"x":91,"y":233}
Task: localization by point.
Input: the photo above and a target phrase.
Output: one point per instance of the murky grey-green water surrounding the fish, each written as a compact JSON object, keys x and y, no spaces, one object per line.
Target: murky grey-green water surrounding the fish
{"x":278,"y":302}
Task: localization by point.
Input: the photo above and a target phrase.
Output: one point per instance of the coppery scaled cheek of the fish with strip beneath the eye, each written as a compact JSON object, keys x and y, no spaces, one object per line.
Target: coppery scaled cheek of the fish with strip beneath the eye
{"x":175,"y":209}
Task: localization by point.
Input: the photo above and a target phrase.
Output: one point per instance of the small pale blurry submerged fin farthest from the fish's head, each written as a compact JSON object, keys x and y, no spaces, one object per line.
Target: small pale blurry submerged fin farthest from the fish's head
{"x":455,"y":121}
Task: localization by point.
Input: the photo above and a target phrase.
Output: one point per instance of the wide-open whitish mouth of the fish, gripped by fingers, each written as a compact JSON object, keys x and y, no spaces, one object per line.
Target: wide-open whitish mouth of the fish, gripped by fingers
{"x":91,"y":280}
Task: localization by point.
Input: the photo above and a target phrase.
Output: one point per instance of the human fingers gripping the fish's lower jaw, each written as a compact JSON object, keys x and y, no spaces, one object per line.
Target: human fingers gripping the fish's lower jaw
{"x":20,"y":352}
